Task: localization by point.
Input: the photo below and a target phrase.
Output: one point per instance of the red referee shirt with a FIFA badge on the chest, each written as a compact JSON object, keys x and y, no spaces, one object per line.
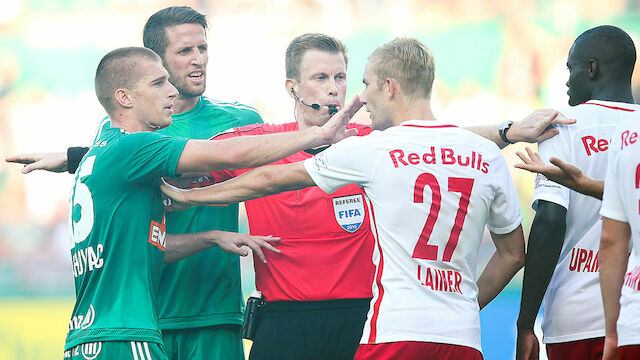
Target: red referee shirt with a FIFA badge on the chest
{"x":326,"y":240}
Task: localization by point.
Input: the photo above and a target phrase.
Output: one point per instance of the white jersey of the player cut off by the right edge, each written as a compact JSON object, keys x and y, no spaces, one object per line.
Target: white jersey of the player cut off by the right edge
{"x":621,"y":202}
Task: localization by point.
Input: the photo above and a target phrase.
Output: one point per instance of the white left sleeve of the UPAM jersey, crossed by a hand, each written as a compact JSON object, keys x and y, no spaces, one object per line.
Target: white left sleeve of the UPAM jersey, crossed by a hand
{"x":545,"y":189}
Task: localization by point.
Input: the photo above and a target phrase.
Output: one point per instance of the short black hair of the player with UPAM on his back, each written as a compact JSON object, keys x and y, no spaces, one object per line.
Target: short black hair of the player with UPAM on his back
{"x":611,"y":47}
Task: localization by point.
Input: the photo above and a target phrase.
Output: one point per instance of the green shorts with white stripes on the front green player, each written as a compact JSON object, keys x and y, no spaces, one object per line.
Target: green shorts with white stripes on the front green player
{"x":125,"y":350}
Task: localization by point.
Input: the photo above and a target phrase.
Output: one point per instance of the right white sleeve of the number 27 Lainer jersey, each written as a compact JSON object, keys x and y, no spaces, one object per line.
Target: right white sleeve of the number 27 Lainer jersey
{"x":504,"y":212}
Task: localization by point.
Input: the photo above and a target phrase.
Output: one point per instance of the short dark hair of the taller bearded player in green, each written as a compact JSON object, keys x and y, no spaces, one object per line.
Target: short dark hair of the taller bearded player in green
{"x":154,"y":34}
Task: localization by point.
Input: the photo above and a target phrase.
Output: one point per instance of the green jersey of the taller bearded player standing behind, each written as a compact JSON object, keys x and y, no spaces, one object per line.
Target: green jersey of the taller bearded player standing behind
{"x":204,"y":289}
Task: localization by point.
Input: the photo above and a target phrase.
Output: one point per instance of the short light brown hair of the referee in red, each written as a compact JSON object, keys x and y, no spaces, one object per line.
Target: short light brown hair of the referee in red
{"x":311,"y":41}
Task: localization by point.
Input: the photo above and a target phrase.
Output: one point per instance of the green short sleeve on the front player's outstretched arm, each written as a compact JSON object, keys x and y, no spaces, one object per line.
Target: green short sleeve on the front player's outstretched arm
{"x":148,"y":155}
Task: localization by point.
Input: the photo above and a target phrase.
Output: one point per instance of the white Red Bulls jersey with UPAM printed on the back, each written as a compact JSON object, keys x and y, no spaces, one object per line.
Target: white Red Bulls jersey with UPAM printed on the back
{"x":572,"y":305}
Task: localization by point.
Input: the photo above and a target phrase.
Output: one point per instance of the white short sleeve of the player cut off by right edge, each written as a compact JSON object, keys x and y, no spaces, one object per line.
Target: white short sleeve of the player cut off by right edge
{"x":612,"y":204}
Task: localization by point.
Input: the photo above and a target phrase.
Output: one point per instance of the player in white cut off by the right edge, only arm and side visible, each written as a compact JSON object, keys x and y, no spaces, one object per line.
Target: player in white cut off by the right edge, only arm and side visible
{"x":621,"y":212}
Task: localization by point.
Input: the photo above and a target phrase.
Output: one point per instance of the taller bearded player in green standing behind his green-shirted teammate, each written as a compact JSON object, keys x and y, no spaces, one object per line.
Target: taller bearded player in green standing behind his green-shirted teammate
{"x":199,"y":298}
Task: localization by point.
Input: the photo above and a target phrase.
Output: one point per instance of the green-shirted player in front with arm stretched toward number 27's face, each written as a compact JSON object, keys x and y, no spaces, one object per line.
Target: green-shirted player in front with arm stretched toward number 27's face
{"x":117,"y":222}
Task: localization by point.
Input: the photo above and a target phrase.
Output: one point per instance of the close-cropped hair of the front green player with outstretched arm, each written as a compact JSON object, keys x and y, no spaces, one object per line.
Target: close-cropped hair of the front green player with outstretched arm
{"x":119,"y":69}
